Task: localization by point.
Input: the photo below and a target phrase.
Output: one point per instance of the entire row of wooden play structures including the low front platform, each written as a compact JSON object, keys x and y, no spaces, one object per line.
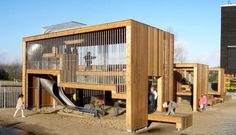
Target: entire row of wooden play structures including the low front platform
{"x":125,"y":65}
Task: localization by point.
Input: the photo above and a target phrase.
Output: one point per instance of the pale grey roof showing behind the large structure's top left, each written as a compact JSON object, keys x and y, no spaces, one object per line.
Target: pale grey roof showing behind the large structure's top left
{"x":63,"y":26}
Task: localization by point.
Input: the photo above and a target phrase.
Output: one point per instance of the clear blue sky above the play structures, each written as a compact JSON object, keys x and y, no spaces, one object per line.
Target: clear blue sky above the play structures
{"x":195,"y":23}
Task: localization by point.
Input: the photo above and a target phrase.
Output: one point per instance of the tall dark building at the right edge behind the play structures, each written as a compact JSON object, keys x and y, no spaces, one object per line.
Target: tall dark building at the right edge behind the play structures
{"x":228,"y":38}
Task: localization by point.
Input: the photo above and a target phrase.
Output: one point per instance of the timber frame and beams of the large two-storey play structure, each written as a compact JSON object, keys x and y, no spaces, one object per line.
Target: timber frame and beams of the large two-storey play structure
{"x":149,"y":52}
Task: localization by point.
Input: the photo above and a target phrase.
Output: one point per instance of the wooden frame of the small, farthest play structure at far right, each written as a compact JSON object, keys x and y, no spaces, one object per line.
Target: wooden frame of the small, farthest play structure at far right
{"x":221,"y":89}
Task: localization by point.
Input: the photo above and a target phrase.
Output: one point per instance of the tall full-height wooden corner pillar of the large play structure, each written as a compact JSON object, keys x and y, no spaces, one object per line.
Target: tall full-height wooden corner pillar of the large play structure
{"x":137,"y":76}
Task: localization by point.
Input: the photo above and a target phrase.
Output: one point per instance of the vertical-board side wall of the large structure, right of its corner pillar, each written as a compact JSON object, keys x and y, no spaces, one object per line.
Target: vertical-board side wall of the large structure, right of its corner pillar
{"x":160,"y":62}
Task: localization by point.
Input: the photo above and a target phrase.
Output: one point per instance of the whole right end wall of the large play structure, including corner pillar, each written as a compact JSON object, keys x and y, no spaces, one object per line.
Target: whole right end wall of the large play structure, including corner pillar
{"x":149,"y":53}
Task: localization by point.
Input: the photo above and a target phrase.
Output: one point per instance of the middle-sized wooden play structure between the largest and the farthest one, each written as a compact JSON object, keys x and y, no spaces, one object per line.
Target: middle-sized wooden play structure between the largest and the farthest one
{"x":190,"y":82}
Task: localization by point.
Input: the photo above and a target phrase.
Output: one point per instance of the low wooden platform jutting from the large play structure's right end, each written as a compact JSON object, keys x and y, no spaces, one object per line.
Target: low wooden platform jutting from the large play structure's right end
{"x":182,"y":120}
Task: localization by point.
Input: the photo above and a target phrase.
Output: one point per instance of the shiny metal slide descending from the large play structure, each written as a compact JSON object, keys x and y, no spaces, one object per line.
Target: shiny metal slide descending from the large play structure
{"x":57,"y":93}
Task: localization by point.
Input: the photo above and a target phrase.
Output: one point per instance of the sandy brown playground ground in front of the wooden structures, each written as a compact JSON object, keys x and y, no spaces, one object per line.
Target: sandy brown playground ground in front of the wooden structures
{"x":217,"y":120}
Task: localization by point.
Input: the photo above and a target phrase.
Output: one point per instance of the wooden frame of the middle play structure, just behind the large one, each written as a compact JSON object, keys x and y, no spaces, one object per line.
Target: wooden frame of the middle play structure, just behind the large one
{"x":199,"y":74}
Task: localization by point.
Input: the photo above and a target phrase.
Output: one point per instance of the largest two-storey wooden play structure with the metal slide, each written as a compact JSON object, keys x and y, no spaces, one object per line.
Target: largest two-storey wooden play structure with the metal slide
{"x":116,"y":59}
